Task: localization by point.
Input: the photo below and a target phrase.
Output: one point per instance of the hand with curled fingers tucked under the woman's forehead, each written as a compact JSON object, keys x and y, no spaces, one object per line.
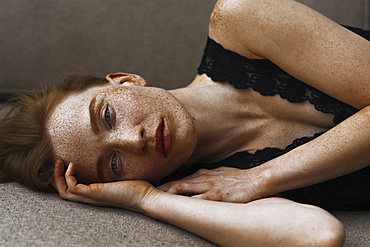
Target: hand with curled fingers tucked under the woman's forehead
{"x":124,"y":194}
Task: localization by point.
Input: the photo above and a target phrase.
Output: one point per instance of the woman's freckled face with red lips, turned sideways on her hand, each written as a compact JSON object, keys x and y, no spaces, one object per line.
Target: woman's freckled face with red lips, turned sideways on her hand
{"x":118,"y":132}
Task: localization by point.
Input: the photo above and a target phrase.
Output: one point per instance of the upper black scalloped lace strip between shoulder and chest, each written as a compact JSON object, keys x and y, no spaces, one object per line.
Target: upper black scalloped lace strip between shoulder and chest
{"x":266,"y":78}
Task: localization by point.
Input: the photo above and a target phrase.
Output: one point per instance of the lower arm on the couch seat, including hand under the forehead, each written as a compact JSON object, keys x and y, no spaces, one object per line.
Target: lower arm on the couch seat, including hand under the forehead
{"x":226,"y":224}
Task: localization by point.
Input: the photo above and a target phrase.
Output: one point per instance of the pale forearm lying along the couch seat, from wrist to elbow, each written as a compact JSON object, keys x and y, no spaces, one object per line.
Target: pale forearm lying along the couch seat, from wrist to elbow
{"x":252,"y":224}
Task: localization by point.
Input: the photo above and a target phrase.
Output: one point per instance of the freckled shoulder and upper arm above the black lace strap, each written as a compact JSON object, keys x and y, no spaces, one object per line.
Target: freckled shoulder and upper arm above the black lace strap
{"x":301,"y":41}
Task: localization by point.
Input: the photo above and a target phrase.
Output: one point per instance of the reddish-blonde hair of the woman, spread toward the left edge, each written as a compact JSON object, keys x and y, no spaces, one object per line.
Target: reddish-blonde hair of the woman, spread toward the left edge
{"x":26,"y":152}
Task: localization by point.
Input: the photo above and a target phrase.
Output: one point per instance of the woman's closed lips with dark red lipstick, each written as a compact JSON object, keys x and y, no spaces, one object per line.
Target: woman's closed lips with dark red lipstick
{"x":163,"y":144}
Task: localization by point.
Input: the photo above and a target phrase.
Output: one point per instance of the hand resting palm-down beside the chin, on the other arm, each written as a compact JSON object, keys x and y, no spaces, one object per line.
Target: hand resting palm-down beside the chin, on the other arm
{"x":220,"y":184}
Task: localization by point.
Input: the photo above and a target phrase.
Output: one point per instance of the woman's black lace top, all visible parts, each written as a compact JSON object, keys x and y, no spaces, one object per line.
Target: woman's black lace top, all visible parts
{"x":263,"y":76}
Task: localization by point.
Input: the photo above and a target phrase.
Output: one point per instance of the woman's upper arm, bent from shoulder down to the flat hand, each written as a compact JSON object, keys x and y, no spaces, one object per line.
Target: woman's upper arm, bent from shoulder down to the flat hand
{"x":315,"y":50}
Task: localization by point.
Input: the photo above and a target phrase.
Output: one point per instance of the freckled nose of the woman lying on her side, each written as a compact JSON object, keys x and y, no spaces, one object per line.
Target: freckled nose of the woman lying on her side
{"x":131,"y":140}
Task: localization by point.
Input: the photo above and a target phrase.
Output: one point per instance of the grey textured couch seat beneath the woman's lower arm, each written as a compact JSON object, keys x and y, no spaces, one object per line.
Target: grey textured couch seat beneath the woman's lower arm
{"x":30,"y":218}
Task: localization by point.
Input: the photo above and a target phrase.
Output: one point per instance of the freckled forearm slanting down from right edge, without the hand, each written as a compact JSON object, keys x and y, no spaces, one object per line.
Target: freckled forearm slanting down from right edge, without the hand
{"x":342,"y":150}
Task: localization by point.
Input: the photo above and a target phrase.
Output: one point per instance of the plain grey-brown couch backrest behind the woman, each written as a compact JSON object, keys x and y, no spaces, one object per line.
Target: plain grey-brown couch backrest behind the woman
{"x":44,"y":40}
